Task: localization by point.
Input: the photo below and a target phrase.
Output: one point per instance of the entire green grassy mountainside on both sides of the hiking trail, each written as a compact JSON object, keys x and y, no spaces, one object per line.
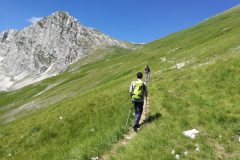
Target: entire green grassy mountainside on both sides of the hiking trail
{"x":203,"y":95}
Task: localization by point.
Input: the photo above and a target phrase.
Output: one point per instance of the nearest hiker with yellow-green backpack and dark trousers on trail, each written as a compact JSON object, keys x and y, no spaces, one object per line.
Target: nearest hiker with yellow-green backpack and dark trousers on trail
{"x":138,"y":90}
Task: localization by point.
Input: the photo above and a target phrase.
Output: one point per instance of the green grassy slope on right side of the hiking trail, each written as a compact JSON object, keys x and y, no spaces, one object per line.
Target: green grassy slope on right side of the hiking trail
{"x":205,"y":97}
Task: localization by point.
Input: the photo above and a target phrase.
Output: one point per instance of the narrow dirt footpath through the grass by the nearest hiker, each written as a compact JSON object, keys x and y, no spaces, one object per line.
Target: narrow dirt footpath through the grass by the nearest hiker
{"x":127,"y":137}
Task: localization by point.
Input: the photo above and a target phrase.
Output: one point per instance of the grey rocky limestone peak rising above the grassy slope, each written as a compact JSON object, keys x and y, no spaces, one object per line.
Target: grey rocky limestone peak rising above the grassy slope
{"x":45,"y":49}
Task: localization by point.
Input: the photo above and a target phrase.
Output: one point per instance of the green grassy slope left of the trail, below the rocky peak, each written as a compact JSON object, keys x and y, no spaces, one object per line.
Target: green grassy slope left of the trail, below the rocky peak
{"x":92,"y":116}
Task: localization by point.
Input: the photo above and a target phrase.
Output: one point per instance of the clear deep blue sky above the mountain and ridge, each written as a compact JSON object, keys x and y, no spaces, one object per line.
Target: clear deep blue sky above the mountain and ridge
{"x":129,"y":20}
